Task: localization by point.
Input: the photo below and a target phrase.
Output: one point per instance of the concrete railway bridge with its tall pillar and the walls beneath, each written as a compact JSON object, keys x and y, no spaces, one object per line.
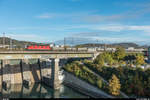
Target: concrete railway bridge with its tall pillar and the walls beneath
{"x":23,"y":71}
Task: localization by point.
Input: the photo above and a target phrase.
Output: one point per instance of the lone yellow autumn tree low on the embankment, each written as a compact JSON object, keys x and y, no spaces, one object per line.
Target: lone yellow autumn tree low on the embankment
{"x":114,"y":85}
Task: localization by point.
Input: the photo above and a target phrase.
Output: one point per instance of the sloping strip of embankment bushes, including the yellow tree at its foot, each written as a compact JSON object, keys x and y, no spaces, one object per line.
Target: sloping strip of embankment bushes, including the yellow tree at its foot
{"x":80,"y":70}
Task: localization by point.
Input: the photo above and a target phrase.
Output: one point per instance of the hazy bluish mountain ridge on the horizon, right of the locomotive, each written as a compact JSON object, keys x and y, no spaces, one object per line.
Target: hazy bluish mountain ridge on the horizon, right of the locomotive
{"x":87,"y":42}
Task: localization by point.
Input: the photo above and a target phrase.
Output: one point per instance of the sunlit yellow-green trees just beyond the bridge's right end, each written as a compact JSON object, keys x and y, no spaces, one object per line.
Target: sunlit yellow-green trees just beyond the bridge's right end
{"x":119,"y":58}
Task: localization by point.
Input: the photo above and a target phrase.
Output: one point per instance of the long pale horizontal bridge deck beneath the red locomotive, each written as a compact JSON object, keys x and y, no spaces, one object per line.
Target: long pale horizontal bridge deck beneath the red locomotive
{"x":44,"y":54}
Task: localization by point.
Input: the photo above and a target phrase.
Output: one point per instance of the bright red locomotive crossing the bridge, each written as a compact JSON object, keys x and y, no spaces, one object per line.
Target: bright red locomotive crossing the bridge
{"x":40,"y":47}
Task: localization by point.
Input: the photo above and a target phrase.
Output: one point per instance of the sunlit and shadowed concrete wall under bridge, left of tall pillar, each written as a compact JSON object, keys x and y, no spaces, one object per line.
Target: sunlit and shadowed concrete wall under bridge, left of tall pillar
{"x":23,"y":70}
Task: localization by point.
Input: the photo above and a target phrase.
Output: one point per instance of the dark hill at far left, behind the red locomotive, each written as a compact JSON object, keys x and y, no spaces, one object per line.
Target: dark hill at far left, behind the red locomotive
{"x":17,"y":42}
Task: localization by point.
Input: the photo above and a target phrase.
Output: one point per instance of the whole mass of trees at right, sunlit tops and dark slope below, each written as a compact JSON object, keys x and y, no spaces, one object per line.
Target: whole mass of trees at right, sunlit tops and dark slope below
{"x":135,"y":81}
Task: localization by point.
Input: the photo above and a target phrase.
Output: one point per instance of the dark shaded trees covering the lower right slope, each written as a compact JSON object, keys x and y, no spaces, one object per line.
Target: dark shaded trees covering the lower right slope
{"x":134,"y":81}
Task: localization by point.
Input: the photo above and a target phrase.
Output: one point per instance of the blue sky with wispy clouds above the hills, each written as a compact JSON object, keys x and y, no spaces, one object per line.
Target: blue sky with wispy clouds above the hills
{"x":52,"y":20}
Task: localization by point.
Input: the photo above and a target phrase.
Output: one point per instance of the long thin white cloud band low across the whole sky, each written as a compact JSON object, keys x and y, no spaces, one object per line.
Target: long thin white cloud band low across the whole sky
{"x":106,"y":27}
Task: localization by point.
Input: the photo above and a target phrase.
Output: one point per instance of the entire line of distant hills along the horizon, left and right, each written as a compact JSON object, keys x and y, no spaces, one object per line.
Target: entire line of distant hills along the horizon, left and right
{"x":81,"y":42}
